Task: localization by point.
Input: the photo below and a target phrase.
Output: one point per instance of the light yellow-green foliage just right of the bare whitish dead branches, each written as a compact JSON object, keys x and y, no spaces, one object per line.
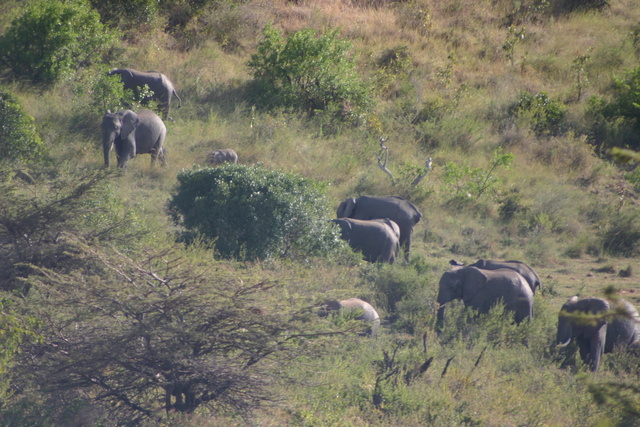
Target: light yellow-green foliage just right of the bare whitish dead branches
{"x":464,"y":181}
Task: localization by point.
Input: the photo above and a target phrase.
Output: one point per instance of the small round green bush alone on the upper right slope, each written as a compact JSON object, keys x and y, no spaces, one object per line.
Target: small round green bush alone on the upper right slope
{"x":542,"y":114}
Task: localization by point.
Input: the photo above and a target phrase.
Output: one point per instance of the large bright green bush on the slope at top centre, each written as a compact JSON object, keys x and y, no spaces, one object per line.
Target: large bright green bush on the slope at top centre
{"x":308,"y":72}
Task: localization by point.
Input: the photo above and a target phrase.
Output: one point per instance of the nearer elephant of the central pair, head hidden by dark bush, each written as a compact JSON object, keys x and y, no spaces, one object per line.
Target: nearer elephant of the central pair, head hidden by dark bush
{"x":377,"y":239}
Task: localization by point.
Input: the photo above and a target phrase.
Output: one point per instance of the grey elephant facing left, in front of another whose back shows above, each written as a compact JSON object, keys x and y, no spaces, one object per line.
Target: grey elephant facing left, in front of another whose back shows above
{"x":482,"y":289}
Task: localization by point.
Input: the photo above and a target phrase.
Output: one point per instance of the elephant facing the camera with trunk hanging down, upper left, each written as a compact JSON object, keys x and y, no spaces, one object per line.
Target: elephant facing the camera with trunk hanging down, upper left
{"x":131,"y":134}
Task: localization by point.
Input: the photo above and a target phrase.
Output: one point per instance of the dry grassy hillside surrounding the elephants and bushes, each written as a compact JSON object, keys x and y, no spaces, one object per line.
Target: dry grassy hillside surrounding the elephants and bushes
{"x":445,"y":77}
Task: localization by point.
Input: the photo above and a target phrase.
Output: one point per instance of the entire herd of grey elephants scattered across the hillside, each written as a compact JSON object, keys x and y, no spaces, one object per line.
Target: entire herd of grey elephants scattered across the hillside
{"x":379,"y":227}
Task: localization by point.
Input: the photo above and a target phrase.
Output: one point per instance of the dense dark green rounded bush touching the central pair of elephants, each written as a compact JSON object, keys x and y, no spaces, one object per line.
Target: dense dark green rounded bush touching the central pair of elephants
{"x":250,"y":212}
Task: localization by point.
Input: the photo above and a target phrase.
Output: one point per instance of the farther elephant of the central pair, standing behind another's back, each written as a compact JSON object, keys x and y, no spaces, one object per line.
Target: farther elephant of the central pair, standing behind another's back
{"x":397,"y":209}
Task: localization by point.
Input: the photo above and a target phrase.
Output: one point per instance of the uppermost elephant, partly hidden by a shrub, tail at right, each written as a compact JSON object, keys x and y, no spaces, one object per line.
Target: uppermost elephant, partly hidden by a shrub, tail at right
{"x":163,"y":89}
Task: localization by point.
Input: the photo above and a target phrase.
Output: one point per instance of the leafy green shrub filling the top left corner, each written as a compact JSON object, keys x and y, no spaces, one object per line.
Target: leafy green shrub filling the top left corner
{"x":52,"y":38}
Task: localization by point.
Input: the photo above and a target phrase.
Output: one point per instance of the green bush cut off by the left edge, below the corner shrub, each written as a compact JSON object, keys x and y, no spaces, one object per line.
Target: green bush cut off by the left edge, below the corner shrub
{"x":19,"y":140}
